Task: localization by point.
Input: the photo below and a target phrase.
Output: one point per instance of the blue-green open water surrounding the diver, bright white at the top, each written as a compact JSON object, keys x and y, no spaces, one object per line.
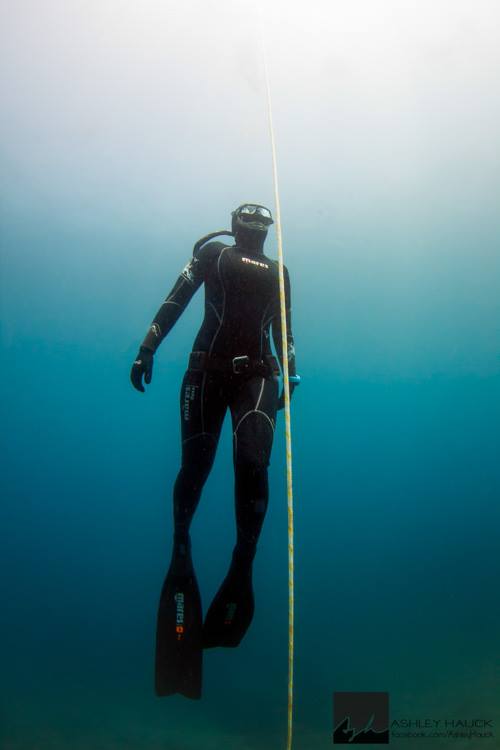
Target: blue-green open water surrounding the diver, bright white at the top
{"x":129,"y":130}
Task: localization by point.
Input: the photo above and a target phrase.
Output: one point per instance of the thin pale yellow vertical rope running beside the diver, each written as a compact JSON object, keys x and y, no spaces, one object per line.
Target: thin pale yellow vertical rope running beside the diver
{"x":288,"y":431}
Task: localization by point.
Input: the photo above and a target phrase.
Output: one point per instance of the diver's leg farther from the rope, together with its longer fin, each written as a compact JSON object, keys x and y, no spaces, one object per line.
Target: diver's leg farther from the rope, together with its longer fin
{"x":179,"y":626}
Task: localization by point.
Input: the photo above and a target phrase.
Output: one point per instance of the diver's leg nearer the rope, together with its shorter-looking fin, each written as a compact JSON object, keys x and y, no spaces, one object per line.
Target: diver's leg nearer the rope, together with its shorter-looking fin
{"x":253,"y":410}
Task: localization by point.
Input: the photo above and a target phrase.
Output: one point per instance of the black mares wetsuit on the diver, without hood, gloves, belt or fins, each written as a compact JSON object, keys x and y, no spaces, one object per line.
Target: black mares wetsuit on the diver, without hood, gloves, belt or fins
{"x":241,"y":309}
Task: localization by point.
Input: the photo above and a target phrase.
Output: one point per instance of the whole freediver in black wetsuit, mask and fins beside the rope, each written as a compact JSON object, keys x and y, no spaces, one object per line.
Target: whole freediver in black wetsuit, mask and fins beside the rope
{"x":230,"y":366}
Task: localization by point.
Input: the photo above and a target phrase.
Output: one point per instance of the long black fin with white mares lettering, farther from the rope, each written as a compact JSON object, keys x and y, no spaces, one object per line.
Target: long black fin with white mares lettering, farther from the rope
{"x":179,"y":652}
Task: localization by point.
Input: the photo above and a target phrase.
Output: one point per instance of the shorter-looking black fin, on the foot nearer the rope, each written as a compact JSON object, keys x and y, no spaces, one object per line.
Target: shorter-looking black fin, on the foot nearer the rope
{"x":231,"y":612}
